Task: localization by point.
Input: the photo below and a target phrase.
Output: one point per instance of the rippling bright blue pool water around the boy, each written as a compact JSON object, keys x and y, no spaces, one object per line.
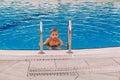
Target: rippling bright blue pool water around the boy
{"x":94,"y":24}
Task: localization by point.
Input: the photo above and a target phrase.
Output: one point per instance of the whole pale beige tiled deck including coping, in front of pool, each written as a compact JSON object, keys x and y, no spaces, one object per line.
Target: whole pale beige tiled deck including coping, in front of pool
{"x":87,"y":64}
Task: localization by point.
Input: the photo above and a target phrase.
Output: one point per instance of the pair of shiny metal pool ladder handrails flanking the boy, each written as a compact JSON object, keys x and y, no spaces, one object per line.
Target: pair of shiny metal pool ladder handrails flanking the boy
{"x":69,"y":37}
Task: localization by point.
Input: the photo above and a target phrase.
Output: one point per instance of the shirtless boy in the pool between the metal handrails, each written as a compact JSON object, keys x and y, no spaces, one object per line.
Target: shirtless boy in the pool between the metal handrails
{"x":53,"y":41}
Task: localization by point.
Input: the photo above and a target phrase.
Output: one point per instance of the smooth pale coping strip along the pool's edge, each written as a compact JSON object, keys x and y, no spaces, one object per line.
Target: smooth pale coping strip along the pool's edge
{"x":111,"y":50}
